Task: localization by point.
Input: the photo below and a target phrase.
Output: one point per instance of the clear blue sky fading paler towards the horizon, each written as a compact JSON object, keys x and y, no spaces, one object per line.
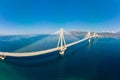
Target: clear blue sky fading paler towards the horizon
{"x":46,"y":16}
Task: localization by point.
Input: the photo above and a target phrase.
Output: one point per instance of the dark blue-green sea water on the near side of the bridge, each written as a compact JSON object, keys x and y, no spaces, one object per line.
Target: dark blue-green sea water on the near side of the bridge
{"x":98,"y":61}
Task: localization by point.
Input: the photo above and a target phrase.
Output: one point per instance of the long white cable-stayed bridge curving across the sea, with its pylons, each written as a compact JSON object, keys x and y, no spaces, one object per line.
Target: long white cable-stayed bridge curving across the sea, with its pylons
{"x":61,"y":47}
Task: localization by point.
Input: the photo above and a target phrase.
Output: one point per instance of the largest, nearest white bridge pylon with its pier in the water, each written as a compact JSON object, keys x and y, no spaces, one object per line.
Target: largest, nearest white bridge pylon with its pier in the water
{"x":61,"y":42}
